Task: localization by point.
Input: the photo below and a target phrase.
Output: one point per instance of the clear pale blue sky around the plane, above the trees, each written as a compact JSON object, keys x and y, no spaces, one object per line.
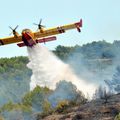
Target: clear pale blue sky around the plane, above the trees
{"x":101,"y":21}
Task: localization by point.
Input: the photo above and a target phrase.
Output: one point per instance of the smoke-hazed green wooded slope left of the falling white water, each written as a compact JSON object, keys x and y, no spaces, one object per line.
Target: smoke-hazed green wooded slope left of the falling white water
{"x":14,"y":79}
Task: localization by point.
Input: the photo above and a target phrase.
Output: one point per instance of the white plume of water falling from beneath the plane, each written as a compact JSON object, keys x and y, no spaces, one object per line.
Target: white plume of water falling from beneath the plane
{"x":48,"y":70}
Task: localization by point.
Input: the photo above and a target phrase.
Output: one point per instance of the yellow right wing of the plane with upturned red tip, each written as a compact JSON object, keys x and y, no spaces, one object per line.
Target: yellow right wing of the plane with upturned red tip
{"x":58,"y":30}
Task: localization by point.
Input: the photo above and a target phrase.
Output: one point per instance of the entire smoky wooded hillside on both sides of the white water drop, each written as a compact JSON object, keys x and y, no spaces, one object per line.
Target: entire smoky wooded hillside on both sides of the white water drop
{"x":96,"y":62}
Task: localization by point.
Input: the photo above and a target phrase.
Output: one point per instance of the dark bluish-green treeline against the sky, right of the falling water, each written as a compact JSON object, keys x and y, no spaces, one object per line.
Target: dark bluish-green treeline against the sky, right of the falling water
{"x":94,"y":50}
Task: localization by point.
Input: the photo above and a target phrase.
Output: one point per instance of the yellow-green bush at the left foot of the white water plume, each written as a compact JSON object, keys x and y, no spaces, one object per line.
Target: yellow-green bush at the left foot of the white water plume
{"x":36,"y":98}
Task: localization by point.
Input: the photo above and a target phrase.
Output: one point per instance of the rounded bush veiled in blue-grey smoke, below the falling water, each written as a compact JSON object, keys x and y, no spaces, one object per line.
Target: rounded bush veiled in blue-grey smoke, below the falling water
{"x":66,"y":91}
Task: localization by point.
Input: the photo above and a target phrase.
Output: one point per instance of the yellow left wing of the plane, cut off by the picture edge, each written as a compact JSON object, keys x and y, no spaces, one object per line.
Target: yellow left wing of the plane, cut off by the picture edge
{"x":10,"y":40}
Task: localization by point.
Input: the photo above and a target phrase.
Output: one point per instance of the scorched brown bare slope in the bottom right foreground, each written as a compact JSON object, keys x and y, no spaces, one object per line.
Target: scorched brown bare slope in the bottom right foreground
{"x":93,"y":110}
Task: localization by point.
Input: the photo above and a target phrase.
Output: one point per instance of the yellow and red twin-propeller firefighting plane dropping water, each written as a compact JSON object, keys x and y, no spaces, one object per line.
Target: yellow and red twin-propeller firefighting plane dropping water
{"x":29,"y":38}
